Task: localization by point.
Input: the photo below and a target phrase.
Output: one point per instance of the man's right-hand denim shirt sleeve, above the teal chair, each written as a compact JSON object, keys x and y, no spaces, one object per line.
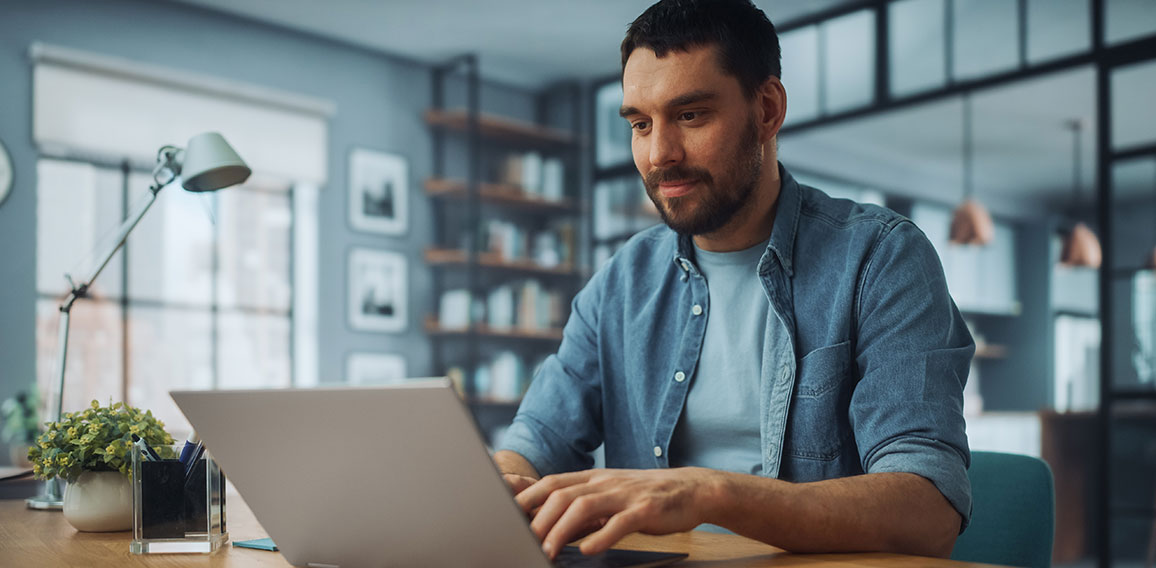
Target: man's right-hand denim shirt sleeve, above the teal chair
{"x":914,"y":356}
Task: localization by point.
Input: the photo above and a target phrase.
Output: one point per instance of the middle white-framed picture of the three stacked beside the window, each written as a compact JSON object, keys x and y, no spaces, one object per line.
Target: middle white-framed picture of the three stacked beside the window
{"x":379,"y":291}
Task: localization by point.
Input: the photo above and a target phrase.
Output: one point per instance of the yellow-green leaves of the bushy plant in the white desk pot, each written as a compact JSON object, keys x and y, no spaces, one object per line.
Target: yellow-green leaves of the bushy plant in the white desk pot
{"x":98,"y":439}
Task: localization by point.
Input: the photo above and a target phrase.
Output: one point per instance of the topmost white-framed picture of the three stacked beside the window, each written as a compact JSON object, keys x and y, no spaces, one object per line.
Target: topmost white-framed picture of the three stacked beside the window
{"x":379,"y":193}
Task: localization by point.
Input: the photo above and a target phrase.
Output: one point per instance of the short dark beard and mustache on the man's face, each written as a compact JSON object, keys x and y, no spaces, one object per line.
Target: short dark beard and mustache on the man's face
{"x":718,"y":204}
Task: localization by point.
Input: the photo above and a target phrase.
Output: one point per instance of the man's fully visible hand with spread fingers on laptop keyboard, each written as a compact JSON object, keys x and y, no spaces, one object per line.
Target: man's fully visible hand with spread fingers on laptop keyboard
{"x":616,"y":503}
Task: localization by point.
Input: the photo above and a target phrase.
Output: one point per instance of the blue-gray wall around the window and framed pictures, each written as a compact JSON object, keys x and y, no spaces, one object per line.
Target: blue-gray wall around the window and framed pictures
{"x":380,"y":101}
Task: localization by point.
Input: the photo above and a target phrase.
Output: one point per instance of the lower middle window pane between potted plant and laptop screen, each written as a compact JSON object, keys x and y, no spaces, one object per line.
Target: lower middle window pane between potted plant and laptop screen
{"x":171,"y":349}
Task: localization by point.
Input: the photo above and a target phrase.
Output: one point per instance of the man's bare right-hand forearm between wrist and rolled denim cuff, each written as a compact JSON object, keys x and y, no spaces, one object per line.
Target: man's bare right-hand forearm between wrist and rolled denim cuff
{"x":881,"y":512}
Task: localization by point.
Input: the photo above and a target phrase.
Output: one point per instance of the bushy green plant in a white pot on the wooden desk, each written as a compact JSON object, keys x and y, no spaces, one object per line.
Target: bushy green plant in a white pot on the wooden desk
{"x":92,"y":451}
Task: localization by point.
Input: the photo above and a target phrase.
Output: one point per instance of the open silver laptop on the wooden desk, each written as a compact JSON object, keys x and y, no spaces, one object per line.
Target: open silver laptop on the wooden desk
{"x":375,"y":477}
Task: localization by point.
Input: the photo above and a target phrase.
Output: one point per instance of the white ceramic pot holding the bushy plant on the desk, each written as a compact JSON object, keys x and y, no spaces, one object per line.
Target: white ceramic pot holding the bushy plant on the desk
{"x":100,"y":501}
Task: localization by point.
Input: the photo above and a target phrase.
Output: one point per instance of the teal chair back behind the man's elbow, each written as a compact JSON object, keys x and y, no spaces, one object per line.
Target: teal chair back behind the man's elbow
{"x":1013,"y":514}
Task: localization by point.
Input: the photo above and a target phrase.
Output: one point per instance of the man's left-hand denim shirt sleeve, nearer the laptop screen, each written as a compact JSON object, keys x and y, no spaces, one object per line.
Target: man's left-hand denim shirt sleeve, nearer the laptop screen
{"x":560,"y":421}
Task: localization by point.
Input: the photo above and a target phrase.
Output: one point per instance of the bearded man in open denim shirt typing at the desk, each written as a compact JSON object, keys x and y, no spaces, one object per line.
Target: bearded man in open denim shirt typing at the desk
{"x":773,"y":362}
